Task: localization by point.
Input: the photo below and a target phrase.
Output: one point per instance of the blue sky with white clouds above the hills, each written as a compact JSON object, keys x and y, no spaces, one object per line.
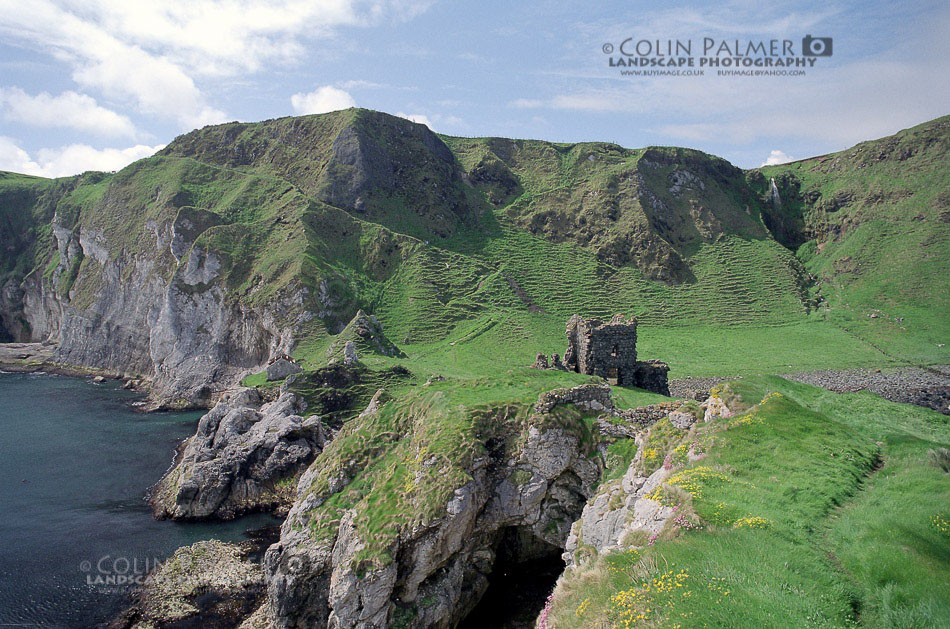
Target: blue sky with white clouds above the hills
{"x":97,"y":84}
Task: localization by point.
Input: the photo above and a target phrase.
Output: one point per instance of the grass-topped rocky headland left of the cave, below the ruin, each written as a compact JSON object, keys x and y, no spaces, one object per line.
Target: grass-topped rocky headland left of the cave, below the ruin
{"x":410,"y":507}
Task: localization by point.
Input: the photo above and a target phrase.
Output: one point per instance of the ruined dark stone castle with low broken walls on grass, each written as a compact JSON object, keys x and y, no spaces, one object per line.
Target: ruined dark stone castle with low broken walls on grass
{"x":608,"y":350}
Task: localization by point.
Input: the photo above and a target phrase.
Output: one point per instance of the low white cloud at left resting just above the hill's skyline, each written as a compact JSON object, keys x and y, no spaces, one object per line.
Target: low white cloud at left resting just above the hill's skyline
{"x":69,"y":160}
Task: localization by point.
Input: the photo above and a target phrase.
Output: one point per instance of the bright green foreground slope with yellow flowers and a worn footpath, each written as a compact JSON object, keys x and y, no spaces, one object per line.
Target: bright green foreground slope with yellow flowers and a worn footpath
{"x":799,"y":528}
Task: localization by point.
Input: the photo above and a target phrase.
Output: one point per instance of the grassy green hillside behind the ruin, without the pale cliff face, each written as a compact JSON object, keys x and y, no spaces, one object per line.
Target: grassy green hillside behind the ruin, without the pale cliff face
{"x":542,"y":235}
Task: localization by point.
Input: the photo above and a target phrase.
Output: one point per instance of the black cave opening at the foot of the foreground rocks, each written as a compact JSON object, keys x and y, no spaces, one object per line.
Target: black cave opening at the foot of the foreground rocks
{"x":525,"y":571}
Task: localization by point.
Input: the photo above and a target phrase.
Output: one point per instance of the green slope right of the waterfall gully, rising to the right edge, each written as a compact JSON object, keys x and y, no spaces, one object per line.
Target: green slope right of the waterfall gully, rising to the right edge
{"x":875,"y":223}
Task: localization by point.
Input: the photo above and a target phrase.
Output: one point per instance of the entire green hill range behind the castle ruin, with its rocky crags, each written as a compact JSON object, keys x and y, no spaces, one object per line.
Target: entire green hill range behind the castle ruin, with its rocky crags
{"x":471,"y":252}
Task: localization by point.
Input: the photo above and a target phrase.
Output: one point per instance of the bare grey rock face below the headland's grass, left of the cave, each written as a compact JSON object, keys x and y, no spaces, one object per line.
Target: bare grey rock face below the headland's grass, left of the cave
{"x":439,"y":569}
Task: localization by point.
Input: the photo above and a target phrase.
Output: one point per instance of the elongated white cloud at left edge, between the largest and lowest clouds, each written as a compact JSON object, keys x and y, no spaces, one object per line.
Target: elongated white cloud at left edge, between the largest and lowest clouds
{"x":69,"y":109}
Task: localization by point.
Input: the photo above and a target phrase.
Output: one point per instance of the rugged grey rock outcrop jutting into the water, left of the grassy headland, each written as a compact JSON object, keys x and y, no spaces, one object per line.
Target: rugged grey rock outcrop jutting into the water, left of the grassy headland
{"x":245,"y":456}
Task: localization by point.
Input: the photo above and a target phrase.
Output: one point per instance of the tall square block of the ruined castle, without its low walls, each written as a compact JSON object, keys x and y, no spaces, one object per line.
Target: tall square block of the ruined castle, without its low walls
{"x":608,"y":350}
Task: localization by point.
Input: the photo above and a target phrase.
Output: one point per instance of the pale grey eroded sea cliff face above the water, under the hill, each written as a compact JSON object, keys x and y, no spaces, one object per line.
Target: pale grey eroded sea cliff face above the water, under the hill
{"x":160,"y":311}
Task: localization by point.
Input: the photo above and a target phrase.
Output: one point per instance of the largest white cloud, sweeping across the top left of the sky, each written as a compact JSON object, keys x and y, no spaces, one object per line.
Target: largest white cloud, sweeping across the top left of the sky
{"x":150,"y":52}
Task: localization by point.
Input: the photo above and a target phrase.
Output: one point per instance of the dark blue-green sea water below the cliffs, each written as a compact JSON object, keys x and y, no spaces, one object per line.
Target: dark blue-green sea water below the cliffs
{"x":75,"y":463}
